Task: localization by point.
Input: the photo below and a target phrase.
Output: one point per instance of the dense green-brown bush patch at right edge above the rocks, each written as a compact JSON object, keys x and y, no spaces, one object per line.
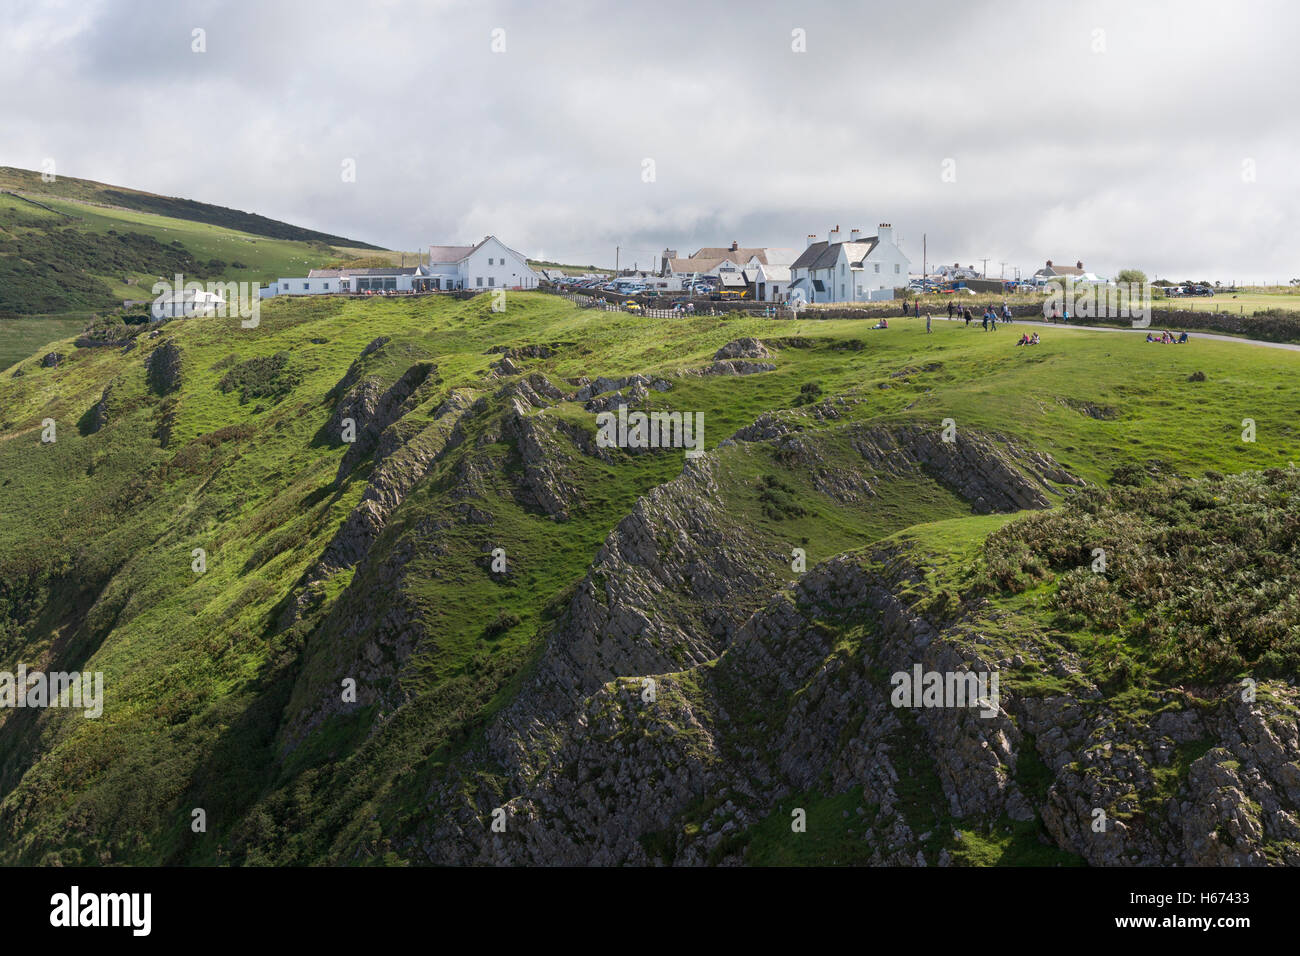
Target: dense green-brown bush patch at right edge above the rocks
{"x":1201,"y":576}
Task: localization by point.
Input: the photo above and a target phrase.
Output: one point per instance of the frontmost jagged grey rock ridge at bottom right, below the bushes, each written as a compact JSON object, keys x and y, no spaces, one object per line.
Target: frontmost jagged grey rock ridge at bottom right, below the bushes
{"x":791,"y":707}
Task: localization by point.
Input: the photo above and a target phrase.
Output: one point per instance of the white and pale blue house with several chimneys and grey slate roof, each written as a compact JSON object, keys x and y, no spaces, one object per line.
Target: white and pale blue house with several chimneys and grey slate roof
{"x":852,"y":269}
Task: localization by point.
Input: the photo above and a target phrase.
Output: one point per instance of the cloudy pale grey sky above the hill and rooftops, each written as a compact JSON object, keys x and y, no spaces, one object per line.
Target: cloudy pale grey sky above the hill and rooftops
{"x":1133,"y":135}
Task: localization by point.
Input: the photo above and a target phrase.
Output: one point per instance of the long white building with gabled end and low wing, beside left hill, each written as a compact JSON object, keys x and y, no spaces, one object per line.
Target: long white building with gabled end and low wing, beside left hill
{"x":489,"y":265}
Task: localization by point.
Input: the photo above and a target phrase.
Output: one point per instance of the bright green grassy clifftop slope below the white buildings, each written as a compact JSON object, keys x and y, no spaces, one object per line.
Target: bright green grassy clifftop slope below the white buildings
{"x":223,"y":687}
